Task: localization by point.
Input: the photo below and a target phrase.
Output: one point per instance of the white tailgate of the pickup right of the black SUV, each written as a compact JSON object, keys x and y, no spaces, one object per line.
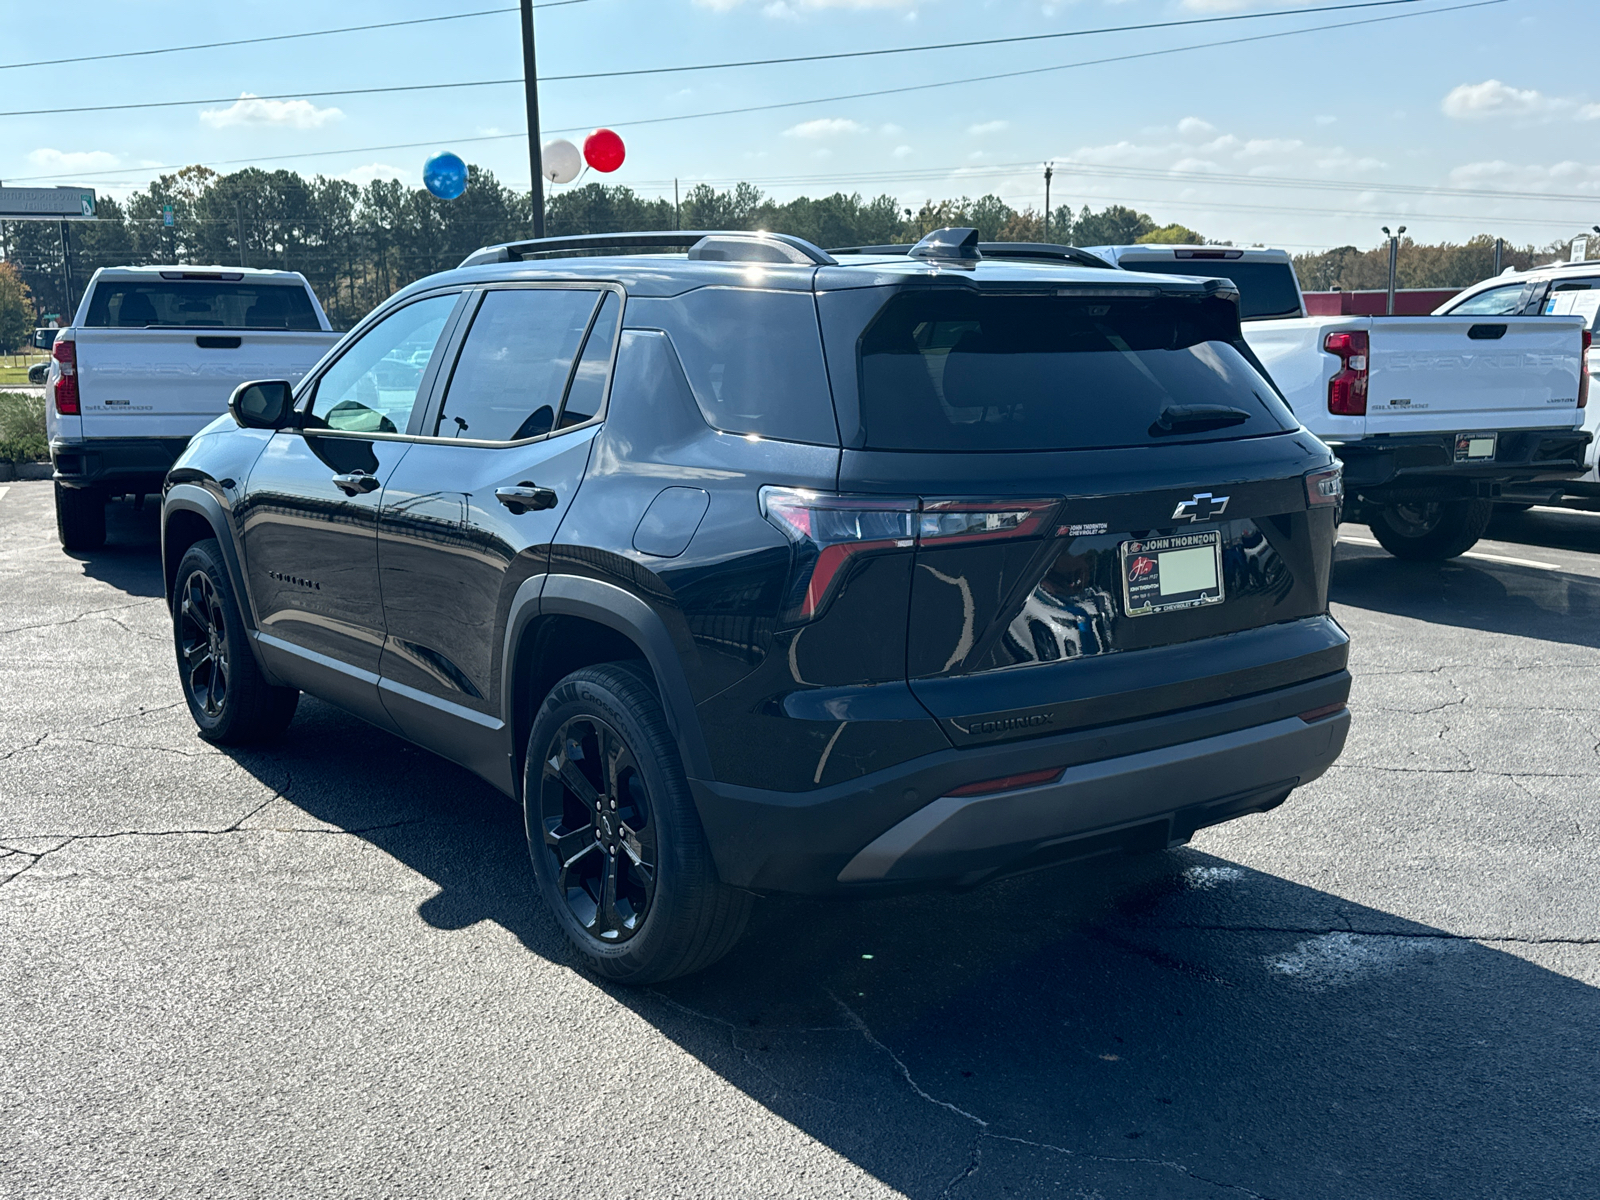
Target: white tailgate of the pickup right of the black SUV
{"x":1498,"y":374}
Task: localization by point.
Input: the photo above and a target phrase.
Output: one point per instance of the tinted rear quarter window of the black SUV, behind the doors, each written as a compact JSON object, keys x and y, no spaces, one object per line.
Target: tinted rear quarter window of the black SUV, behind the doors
{"x":754,"y":361}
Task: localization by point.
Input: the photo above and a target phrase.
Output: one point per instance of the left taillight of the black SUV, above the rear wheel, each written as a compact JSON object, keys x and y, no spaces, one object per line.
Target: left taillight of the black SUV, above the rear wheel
{"x":828,"y":530}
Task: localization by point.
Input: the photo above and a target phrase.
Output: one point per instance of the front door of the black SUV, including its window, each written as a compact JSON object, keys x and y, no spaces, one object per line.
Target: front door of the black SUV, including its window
{"x":310,"y":514}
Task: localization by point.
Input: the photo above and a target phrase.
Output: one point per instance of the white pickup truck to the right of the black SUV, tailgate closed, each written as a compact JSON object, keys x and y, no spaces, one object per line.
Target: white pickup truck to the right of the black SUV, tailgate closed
{"x":1433,"y":417}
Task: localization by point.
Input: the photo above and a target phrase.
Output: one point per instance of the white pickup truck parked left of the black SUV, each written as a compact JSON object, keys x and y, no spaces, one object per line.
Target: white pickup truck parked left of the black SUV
{"x":150,"y":359}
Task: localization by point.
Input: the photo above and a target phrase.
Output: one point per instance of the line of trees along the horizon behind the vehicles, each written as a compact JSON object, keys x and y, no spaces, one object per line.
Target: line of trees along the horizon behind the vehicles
{"x":358,"y":246}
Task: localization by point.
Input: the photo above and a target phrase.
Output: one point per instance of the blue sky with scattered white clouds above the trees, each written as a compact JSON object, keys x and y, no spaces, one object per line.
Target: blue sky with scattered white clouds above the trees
{"x":1303,"y":142}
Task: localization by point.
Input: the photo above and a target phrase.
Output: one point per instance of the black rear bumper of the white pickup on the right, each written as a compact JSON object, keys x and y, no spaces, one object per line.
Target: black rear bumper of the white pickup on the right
{"x":1409,"y":468}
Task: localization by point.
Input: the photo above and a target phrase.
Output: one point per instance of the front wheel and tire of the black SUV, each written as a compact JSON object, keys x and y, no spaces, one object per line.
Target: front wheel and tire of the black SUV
{"x":233,"y":705}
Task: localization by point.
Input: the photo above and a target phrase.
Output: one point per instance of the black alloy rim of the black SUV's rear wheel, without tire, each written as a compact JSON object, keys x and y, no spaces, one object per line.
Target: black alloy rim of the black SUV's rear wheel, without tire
{"x":598,"y":830}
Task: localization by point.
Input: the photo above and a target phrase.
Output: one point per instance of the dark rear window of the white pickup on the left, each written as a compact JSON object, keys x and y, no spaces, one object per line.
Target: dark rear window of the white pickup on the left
{"x":210,"y":305}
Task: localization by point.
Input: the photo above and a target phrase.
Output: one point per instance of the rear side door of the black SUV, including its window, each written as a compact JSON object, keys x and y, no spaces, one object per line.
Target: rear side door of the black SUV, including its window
{"x":471,"y":514}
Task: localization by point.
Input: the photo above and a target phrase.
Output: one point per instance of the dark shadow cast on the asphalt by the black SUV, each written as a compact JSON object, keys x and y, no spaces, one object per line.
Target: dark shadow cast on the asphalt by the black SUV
{"x":1169,"y":1026}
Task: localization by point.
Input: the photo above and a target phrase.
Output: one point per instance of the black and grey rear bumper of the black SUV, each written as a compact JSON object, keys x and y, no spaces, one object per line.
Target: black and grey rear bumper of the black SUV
{"x":1129,"y":786}
